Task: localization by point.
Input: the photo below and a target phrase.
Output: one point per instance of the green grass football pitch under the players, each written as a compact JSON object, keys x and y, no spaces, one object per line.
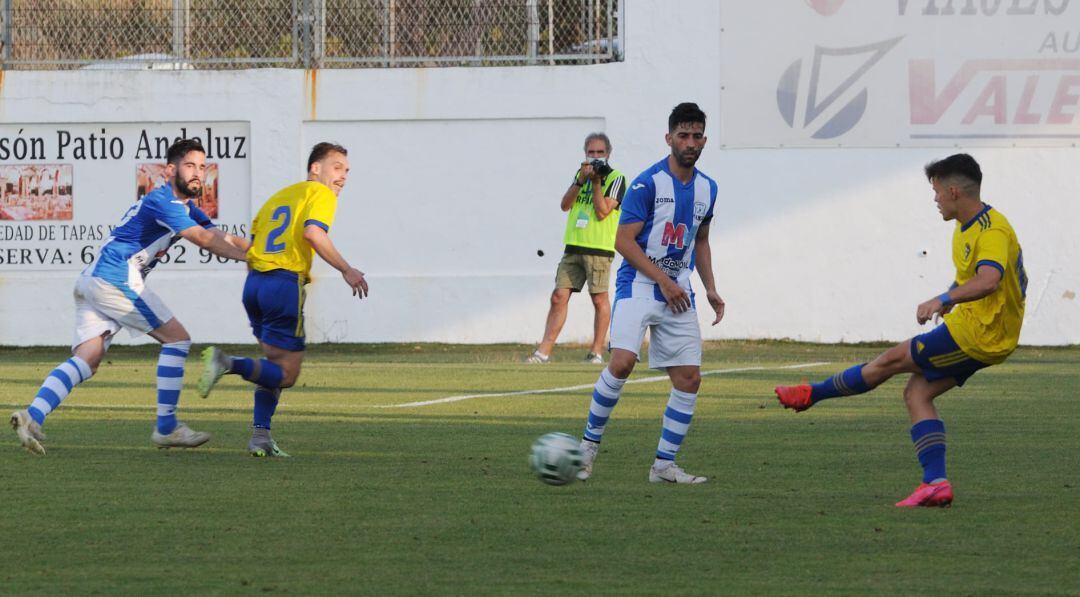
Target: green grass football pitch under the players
{"x":439,"y":499}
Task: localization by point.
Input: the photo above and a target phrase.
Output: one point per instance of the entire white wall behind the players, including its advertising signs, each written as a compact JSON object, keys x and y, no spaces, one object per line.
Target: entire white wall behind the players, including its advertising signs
{"x":822,"y":115}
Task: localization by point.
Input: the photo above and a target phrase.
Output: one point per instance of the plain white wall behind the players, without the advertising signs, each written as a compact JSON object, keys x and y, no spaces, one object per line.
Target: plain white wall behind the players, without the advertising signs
{"x":457,"y":174}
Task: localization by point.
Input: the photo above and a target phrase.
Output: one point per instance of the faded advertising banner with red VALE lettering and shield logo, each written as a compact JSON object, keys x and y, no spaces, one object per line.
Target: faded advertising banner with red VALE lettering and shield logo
{"x":901,"y":74}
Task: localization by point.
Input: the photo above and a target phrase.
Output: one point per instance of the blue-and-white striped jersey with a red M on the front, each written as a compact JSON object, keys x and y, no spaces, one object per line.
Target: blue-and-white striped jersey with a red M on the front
{"x":672,"y":213}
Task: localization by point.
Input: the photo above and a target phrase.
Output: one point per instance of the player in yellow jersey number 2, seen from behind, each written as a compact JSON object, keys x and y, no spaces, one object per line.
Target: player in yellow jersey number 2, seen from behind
{"x":290,"y":228}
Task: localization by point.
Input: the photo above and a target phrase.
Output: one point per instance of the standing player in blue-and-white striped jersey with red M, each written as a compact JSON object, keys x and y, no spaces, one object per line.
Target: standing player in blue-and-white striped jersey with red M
{"x":664,"y":237}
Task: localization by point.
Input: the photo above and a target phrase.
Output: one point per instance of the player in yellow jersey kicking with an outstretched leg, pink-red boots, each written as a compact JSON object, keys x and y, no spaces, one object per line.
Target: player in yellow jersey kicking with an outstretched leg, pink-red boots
{"x":983,"y":311}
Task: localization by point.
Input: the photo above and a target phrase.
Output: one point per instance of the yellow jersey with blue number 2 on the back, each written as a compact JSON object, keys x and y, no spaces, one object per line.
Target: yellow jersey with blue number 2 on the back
{"x":278,"y":241}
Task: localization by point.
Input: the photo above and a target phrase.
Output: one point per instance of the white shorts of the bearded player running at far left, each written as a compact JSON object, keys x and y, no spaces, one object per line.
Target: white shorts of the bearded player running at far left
{"x":103,"y":308}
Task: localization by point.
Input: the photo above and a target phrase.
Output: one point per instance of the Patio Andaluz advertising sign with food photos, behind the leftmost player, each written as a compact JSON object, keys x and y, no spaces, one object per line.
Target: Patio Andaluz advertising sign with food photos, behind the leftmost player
{"x":64,"y":187}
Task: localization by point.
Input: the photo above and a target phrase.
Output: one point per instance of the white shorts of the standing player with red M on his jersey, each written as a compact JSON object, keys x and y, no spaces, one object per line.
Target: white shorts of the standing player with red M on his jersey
{"x":676,"y":340}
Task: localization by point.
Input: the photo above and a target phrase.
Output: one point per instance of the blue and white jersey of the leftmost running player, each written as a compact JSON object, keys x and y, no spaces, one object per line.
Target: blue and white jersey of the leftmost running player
{"x":145,"y":234}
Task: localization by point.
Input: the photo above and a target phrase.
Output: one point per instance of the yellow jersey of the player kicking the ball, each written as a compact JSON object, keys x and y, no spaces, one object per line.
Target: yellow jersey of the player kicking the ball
{"x":989,"y":330}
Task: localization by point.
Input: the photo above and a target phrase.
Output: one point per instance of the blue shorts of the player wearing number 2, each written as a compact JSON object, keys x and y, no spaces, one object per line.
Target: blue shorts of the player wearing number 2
{"x":275,"y":305}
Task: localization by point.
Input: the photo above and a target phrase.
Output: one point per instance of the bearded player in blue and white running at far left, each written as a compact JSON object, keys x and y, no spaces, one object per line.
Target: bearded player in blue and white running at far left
{"x":112,"y":295}
